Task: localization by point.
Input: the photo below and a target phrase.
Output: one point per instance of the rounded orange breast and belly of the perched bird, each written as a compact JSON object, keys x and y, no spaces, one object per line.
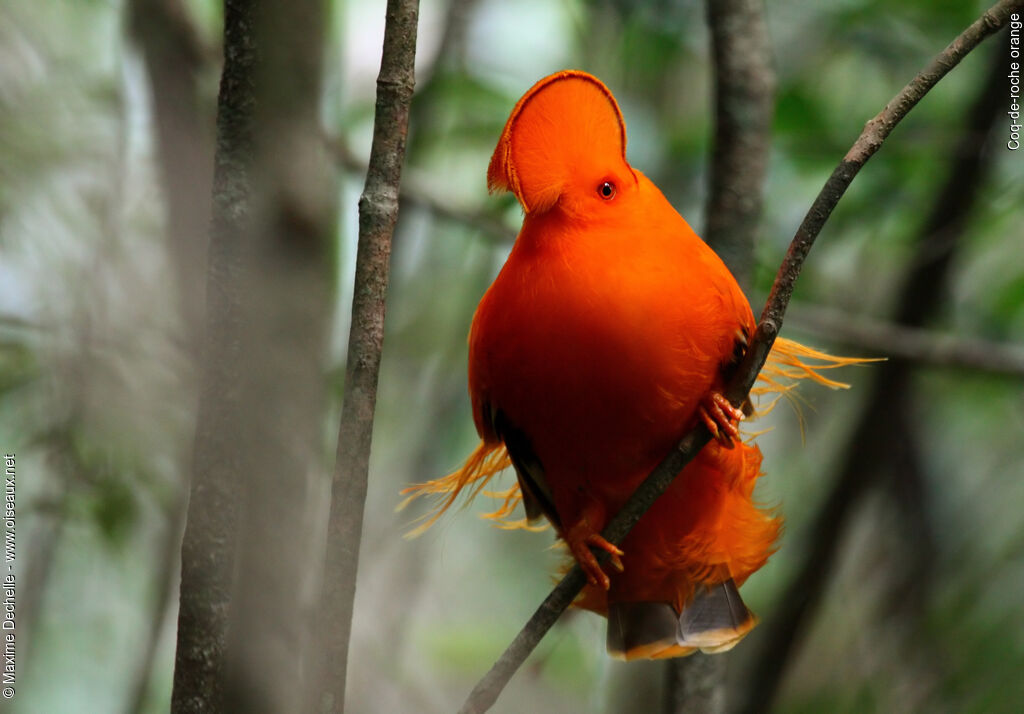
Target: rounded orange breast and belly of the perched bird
{"x":599,"y":340}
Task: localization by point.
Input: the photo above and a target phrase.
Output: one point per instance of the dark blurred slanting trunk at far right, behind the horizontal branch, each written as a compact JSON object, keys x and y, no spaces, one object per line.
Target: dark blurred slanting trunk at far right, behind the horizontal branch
{"x":877,"y":445}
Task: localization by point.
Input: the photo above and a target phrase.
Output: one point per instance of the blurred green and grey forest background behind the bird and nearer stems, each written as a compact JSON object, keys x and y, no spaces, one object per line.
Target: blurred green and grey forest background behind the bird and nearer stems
{"x":898,"y":585}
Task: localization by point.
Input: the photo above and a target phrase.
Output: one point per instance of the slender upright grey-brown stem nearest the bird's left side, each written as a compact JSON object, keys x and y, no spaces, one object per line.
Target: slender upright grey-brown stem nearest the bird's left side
{"x":378,"y":215}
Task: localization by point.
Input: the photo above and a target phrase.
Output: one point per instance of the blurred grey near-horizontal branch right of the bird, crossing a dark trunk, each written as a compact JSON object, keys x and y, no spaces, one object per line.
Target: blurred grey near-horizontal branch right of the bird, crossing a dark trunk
{"x":919,"y":346}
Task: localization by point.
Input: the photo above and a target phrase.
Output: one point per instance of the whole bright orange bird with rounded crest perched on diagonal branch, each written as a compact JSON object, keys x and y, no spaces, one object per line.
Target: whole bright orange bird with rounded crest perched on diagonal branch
{"x":611,"y":331}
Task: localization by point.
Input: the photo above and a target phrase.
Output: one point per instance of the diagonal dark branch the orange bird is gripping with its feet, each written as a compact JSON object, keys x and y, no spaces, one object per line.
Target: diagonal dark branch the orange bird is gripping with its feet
{"x":487,"y":691}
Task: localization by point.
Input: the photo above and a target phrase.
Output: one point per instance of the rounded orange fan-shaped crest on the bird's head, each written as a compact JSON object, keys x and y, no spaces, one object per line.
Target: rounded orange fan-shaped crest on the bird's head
{"x":565,"y":124}
